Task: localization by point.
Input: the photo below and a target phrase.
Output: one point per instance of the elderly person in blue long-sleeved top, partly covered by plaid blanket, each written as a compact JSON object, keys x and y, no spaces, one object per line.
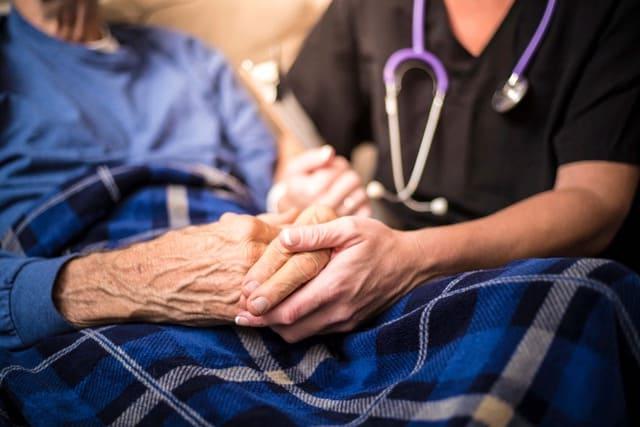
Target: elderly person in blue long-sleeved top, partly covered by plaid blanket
{"x":160,"y":120}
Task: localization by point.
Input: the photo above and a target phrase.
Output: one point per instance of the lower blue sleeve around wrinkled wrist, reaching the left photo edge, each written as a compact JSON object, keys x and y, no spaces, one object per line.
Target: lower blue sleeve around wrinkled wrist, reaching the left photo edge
{"x":27,"y":311}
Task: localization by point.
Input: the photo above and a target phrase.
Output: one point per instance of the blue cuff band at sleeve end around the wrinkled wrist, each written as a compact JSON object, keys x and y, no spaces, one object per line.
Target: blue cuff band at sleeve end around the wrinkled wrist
{"x":34,"y":313}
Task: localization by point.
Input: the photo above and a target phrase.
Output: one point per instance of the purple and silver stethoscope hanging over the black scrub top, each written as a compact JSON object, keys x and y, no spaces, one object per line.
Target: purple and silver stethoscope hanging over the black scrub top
{"x":505,"y":99}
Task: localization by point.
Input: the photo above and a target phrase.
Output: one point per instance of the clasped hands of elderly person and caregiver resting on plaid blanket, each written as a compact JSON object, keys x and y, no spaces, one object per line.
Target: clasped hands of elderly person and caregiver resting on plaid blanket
{"x":319,"y":275}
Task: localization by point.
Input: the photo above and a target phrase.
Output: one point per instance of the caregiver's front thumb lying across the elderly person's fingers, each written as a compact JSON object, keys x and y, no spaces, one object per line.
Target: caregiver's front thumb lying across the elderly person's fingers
{"x":317,"y":237}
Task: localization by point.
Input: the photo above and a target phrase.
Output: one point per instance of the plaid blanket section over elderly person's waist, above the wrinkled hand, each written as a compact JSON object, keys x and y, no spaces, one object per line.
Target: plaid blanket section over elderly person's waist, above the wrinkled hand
{"x":111,"y":207}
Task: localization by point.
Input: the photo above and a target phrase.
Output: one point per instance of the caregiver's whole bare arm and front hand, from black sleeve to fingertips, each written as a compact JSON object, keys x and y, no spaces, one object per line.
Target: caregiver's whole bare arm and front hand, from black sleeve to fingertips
{"x":372,"y":266}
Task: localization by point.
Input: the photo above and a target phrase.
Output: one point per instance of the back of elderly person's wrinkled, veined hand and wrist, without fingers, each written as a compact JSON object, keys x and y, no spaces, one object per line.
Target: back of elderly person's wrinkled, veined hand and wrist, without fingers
{"x":191,"y":276}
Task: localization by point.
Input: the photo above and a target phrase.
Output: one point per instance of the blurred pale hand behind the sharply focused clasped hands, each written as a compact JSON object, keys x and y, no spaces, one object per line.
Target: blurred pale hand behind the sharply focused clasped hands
{"x":319,"y":177}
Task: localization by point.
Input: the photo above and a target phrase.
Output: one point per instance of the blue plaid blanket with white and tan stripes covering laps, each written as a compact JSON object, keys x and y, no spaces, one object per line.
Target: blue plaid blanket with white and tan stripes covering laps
{"x":540,"y":342}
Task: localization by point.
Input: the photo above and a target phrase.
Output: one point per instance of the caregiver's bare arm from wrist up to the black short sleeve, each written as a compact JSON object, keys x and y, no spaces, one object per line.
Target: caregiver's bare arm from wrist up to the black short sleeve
{"x":579,"y":218}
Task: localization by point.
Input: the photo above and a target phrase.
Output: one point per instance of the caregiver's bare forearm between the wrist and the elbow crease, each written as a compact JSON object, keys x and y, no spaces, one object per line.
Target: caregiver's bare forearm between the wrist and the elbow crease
{"x":558,"y":223}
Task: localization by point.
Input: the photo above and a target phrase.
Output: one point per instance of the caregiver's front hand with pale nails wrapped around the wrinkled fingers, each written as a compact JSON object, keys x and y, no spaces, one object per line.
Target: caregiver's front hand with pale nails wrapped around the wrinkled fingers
{"x":371,"y":267}
